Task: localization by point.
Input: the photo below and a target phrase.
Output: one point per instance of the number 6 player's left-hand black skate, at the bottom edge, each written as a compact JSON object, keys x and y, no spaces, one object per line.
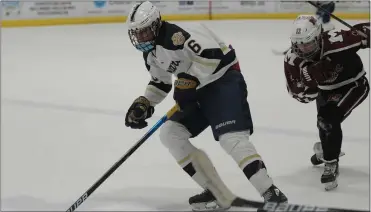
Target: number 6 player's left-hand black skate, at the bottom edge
{"x":205,"y":202}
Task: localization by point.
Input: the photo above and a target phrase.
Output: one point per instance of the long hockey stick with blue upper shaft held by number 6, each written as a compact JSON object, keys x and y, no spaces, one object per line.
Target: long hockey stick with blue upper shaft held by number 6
{"x":83,"y":197}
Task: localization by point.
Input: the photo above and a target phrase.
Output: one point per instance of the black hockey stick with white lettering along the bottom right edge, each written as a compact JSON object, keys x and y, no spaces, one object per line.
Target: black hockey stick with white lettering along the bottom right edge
{"x":272,"y":206}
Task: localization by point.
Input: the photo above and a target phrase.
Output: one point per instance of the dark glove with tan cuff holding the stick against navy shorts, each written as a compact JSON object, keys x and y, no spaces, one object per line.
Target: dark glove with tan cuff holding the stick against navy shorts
{"x":185,"y":93}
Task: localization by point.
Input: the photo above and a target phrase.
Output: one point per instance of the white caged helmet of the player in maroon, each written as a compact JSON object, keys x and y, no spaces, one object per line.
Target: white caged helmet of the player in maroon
{"x":305,"y":36}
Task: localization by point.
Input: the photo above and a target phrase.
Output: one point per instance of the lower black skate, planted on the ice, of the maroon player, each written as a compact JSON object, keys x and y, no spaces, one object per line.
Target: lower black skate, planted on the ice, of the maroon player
{"x":330,"y":174}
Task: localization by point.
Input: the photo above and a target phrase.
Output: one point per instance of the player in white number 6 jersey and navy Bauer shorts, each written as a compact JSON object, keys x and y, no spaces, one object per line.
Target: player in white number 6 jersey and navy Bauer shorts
{"x":210,"y":91}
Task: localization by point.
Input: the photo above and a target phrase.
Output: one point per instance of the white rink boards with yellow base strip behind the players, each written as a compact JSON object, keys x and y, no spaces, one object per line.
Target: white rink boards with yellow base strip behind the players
{"x":56,"y":12}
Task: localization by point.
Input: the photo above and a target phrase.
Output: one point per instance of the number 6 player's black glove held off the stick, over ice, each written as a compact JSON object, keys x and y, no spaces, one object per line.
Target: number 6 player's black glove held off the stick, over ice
{"x":138,"y":112}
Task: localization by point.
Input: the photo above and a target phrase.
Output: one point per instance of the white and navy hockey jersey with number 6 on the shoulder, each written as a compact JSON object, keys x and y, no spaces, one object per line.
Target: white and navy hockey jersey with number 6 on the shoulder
{"x":196,"y":51}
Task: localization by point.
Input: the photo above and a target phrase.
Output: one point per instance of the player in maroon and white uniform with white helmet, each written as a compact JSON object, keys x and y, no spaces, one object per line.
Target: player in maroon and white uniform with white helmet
{"x":325,"y":66}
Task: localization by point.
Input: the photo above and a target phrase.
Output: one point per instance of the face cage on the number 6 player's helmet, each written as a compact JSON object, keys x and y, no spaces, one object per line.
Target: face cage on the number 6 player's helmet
{"x":144,"y":38}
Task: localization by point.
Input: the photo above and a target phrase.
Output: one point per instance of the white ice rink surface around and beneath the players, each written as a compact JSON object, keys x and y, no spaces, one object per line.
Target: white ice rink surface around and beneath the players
{"x":64,"y":94}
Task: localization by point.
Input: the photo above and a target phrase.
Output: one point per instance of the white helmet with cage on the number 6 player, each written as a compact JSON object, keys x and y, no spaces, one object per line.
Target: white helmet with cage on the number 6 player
{"x":144,"y":22}
